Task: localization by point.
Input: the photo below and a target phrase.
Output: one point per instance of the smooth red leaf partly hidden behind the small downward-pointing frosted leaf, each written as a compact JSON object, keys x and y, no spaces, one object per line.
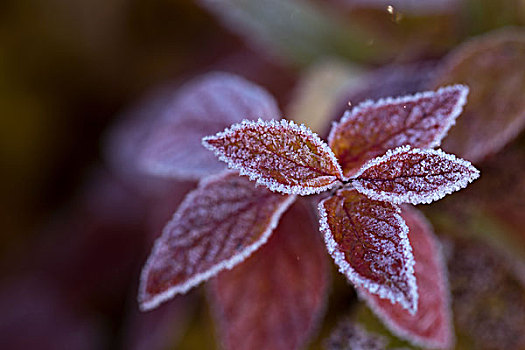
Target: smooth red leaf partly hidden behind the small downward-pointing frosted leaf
{"x":431,"y":325}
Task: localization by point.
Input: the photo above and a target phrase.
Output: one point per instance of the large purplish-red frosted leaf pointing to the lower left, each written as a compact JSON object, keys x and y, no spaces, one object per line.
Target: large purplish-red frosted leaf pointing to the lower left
{"x":216,"y":227}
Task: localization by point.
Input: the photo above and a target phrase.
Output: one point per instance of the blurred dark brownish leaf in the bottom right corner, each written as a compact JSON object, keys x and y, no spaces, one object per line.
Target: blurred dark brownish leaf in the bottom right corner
{"x":488,"y":299}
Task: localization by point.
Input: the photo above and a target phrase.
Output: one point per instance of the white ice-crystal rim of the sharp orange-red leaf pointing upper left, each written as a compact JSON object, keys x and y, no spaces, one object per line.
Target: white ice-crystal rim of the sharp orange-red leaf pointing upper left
{"x":268,"y":182}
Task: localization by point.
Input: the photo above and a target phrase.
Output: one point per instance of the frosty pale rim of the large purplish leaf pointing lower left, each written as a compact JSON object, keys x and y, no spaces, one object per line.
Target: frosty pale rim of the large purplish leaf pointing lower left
{"x":157,"y":299}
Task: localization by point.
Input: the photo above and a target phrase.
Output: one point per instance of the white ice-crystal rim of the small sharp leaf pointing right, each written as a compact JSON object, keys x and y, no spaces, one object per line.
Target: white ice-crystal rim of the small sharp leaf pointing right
{"x":410,"y":197}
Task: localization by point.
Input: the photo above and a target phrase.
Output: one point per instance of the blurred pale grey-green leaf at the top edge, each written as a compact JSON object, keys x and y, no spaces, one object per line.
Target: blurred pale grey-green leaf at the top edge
{"x":297,"y":30}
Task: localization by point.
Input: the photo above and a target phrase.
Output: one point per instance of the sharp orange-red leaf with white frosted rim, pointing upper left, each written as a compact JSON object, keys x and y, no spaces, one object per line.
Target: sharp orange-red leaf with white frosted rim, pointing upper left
{"x":281,"y":155}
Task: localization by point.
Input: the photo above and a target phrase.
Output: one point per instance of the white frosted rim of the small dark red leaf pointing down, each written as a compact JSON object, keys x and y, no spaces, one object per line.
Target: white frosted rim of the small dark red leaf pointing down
{"x":354,"y":277}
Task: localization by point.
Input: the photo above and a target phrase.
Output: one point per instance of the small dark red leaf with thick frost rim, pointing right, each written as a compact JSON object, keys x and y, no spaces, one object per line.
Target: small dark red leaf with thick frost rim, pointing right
{"x":412,"y":175}
